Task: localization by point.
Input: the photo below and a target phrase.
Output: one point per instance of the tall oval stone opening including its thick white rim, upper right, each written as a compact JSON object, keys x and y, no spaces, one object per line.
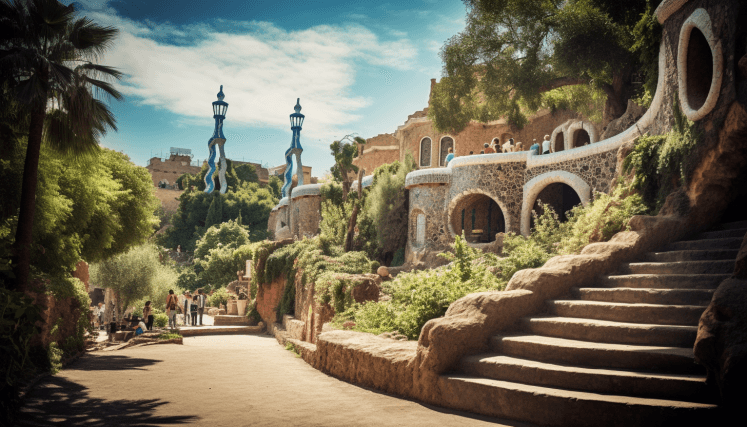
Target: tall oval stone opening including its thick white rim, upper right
{"x":700,"y":64}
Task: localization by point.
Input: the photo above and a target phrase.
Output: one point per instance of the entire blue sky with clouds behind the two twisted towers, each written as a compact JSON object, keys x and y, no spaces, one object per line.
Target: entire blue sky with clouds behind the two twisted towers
{"x":358,"y":66}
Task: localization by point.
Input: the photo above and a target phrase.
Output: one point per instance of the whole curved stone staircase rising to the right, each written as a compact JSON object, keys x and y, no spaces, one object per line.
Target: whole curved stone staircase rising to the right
{"x":617,"y":354}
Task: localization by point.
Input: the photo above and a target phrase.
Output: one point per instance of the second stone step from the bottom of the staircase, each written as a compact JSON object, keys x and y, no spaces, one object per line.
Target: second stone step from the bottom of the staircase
{"x":688,"y":388}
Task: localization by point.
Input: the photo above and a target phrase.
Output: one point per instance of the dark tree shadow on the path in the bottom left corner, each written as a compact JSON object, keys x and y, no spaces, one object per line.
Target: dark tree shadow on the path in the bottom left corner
{"x":57,"y":401}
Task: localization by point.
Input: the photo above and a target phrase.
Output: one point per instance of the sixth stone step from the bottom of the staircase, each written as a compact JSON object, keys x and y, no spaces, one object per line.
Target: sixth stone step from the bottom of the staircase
{"x":645,"y":296}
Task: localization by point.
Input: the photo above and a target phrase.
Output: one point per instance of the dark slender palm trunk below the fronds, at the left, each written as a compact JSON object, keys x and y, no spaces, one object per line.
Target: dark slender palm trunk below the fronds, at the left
{"x":24,"y":236}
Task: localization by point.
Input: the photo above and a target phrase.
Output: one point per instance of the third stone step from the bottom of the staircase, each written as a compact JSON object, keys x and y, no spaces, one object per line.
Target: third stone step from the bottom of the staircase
{"x":678,"y":360}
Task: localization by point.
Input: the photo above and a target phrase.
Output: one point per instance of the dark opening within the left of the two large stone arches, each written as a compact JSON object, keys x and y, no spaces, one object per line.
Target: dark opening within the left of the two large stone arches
{"x":479,"y":217}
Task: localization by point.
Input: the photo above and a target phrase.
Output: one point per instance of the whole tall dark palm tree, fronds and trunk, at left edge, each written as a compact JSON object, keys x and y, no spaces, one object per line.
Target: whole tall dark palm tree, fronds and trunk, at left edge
{"x":50,"y":56}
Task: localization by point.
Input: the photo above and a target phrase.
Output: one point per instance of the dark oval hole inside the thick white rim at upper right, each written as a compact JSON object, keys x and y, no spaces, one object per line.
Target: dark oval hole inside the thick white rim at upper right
{"x":699,"y":69}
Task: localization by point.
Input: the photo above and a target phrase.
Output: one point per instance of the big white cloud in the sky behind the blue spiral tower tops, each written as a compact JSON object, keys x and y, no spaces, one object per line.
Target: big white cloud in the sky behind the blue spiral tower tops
{"x":263,"y":68}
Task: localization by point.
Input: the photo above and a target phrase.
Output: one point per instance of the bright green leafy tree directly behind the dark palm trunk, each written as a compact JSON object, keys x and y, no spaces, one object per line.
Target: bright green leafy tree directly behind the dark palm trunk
{"x":90,"y":208}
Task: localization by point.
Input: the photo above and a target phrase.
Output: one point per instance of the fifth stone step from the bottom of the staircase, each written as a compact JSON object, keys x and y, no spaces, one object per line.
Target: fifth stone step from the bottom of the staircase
{"x":661,"y":314}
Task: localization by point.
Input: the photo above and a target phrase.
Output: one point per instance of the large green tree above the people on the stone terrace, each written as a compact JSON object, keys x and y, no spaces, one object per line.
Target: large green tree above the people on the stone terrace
{"x":512,"y":52}
